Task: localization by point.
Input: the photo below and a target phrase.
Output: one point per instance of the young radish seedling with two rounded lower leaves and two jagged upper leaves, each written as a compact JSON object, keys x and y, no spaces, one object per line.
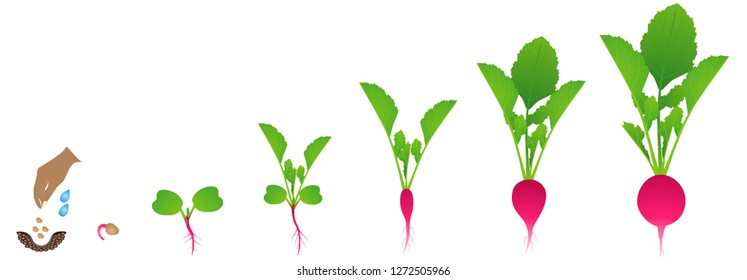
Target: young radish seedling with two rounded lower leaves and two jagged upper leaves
{"x":293,"y":193}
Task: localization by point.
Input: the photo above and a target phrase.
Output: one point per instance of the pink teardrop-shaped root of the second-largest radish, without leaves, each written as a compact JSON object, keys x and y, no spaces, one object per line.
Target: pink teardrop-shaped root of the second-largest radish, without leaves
{"x":528,"y":198}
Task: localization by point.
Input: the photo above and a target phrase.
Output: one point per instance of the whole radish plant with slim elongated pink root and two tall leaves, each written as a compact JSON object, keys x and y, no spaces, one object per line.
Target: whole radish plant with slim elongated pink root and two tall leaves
{"x":384,"y":106}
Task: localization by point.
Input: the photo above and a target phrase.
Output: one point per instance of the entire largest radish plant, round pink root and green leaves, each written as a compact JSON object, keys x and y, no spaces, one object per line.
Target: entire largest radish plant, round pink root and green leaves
{"x":668,"y":52}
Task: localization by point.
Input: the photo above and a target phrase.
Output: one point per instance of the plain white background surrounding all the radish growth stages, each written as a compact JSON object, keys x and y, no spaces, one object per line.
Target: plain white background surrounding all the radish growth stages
{"x":167,"y":95}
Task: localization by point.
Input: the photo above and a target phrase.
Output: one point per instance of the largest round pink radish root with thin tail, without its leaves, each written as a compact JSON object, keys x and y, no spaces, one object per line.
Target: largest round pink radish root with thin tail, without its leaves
{"x":661,"y":201}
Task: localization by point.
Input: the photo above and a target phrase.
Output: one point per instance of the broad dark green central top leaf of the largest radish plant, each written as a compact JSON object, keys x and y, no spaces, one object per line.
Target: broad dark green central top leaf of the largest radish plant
{"x":669,"y":47}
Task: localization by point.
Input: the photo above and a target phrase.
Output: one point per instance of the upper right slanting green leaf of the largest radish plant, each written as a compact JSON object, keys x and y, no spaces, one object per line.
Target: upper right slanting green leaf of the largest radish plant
{"x":699,"y":78}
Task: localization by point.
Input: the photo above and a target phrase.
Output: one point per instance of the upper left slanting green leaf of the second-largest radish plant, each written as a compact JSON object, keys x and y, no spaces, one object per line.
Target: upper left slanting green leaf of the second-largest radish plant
{"x":502,"y":86}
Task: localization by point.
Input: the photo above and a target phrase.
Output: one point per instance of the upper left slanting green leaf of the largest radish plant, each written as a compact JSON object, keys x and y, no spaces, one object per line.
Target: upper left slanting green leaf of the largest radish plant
{"x":631,"y":64}
